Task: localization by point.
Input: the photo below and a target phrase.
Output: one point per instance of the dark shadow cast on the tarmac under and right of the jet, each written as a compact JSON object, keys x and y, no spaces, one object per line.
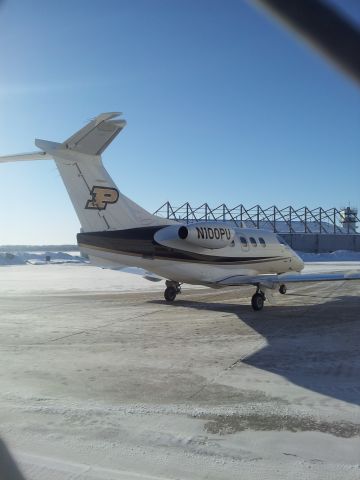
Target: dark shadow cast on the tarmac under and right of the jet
{"x":314,"y":346}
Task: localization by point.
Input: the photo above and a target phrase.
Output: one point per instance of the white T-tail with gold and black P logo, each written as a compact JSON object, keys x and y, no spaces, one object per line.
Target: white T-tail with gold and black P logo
{"x":99,"y":205}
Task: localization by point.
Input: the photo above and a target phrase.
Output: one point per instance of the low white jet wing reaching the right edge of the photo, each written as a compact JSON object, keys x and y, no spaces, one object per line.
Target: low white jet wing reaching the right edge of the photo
{"x":271,"y":281}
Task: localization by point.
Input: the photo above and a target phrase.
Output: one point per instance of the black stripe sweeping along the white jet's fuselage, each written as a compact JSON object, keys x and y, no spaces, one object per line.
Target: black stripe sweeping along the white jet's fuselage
{"x":140,"y":242}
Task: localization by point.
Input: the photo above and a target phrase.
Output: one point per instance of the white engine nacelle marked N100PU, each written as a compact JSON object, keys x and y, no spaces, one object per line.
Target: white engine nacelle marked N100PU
{"x":207,"y":235}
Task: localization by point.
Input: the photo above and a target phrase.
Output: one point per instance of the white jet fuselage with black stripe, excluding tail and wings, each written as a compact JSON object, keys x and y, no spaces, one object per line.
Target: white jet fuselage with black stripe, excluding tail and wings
{"x":161,"y":250}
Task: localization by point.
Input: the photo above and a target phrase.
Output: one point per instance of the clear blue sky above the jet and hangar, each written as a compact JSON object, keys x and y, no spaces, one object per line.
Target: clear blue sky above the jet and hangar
{"x":222,"y":104}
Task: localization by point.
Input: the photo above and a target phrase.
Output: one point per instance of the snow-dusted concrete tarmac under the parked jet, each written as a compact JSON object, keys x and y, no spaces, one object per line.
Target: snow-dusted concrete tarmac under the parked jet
{"x":122,"y":385}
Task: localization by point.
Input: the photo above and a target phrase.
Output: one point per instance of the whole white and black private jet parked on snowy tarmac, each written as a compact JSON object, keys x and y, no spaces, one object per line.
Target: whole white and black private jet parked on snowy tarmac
{"x":116,"y":232}
